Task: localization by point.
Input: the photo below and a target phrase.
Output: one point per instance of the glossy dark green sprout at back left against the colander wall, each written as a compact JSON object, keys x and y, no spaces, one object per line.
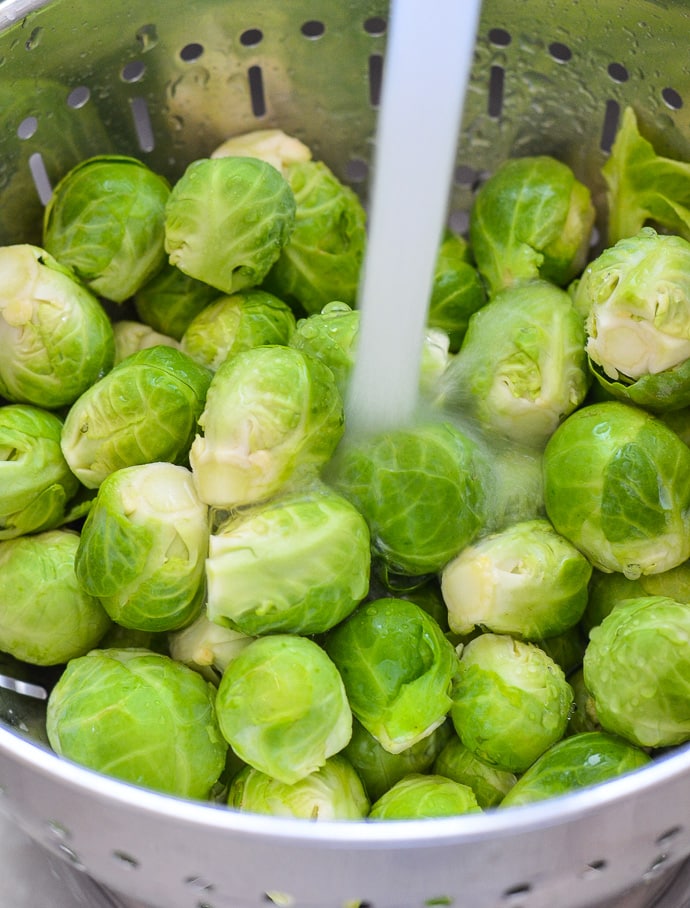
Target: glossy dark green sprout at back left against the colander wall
{"x":105,"y":220}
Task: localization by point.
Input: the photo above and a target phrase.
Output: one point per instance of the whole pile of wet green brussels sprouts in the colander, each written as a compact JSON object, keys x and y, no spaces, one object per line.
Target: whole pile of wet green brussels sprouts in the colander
{"x":245,"y":603}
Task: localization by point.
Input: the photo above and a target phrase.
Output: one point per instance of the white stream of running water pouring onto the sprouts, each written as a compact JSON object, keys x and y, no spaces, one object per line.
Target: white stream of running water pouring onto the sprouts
{"x":427,"y":69}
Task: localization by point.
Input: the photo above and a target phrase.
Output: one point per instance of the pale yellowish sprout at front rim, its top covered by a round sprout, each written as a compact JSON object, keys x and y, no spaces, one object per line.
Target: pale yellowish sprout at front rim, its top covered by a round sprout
{"x":333,"y":792}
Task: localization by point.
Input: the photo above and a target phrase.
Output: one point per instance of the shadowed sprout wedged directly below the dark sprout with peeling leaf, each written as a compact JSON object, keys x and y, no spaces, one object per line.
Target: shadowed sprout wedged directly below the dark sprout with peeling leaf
{"x":379,"y":769}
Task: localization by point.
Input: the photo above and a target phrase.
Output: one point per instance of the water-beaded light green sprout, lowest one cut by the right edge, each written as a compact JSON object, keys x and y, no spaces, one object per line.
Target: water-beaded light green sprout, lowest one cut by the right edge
{"x":636,"y":667}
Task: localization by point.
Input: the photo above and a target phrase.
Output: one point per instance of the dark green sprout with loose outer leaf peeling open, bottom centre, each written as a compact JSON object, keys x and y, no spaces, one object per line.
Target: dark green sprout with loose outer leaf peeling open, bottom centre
{"x":397,"y":667}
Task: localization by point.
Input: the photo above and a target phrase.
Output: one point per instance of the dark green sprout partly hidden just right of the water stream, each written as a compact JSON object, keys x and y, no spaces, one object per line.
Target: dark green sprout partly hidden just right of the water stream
{"x":457,"y":290}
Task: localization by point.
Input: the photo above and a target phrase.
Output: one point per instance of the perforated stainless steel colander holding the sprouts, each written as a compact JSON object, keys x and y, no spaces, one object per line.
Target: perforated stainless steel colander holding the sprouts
{"x":167,"y":80}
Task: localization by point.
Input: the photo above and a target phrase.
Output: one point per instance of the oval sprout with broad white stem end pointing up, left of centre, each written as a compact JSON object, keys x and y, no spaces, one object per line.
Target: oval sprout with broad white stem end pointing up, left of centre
{"x":143,"y":547}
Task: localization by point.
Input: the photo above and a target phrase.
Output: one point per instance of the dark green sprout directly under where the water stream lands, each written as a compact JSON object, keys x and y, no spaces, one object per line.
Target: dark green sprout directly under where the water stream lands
{"x":421,"y":490}
